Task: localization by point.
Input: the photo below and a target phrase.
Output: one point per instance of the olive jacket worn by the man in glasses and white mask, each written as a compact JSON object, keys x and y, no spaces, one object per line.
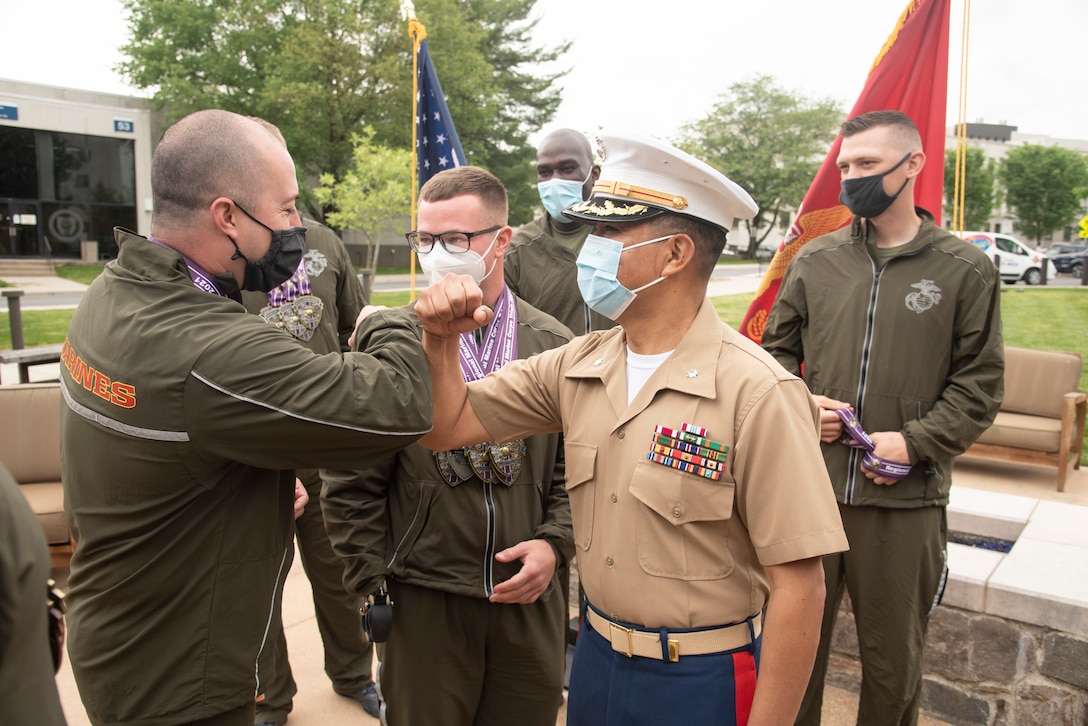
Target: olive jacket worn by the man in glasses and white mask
{"x":401,"y":519}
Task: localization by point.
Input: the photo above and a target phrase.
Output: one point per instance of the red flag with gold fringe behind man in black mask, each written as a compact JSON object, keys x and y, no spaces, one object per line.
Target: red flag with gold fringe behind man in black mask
{"x":910,"y":76}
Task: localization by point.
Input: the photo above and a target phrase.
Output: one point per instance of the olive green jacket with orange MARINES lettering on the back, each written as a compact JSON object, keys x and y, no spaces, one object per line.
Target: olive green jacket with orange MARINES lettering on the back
{"x":183,"y":420}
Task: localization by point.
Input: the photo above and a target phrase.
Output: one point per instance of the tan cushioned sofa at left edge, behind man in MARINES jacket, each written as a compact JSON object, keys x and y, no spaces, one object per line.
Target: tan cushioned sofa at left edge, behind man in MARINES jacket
{"x":31,"y":450}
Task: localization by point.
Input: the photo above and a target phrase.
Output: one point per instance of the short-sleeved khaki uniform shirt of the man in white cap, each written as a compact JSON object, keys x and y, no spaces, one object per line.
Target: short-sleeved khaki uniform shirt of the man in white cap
{"x":660,"y":547}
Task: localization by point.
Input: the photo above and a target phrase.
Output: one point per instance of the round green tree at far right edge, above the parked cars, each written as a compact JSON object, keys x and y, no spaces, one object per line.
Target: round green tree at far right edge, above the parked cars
{"x":1046,"y":188}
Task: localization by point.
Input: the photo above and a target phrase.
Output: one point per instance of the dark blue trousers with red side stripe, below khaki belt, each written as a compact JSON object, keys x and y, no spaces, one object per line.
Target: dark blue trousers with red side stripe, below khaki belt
{"x":611,"y":690}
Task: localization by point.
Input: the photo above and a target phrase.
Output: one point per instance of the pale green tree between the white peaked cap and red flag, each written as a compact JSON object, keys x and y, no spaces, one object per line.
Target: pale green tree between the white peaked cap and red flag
{"x":771,"y":142}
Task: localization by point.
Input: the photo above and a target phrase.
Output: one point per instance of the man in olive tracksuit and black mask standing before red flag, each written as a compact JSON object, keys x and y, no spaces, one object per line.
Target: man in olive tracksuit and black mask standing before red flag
{"x":899,"y":322}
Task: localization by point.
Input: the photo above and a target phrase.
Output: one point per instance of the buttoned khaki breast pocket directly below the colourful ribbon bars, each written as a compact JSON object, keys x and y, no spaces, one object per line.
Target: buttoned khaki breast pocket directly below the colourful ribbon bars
{"x":682,"y":531}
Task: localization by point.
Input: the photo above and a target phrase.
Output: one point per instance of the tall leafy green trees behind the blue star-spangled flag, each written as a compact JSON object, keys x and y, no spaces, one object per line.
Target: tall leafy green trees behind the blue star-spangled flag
{"x":322,"y":70}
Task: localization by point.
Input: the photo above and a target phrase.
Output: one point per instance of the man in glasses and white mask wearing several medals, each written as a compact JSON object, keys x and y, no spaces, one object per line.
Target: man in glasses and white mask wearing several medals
{"x":467,"y":542}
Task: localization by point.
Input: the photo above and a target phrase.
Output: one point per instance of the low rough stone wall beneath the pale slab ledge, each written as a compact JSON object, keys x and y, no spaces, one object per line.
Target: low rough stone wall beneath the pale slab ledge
{"x":986,"y":671}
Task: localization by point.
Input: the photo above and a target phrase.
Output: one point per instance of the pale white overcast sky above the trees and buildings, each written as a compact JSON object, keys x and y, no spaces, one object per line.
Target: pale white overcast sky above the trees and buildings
{"x":653,"y":67}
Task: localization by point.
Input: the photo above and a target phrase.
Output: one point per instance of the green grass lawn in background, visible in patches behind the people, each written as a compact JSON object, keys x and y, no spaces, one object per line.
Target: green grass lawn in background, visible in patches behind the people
{"x":1041,"y":318}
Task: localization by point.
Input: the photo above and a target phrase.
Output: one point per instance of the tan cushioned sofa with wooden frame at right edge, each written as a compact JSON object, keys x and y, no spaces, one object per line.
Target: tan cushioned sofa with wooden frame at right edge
{"x":1043,"y":416}
